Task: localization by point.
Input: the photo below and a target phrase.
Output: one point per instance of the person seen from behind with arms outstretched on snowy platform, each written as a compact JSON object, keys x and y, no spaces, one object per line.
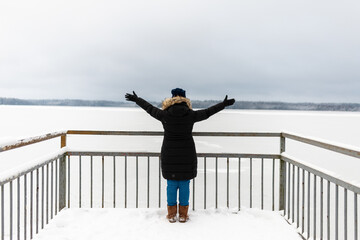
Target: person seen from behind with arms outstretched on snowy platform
{"x":178,"y":154}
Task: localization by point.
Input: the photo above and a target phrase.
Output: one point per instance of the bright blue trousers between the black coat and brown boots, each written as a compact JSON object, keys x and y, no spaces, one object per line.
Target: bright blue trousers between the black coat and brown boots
{"x":184,"y":192}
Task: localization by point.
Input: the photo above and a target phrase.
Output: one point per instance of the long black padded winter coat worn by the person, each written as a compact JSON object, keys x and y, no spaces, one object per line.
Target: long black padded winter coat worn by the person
{"x":178,"y":154}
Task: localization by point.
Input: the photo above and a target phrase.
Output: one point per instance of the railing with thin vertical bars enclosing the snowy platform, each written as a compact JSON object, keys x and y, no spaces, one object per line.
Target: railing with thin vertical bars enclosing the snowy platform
{"x":50,"y":185}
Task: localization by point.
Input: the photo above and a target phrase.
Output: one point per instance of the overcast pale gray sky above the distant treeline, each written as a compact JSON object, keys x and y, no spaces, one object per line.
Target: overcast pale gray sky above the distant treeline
{"x":271,"y":50}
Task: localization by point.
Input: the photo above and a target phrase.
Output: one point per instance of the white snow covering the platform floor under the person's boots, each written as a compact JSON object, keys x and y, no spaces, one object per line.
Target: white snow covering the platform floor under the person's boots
{"x":88,"y":224}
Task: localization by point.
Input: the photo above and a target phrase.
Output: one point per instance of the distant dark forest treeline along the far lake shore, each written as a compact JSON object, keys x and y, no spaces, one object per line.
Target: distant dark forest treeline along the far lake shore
{"x":196,"y":104}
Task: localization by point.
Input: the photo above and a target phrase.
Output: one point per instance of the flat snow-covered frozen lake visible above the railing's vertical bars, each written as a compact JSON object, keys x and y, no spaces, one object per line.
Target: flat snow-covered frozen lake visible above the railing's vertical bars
{"x":26,"y":121}
